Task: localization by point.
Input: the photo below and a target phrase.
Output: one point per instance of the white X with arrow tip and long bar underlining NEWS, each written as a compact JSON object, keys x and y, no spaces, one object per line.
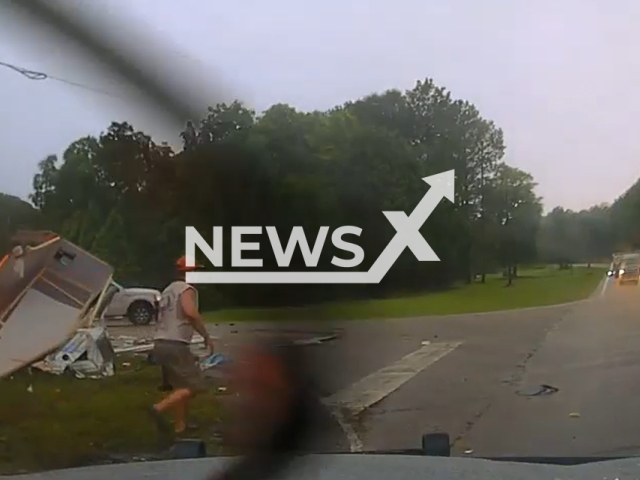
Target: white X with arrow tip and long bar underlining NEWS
{"x":407,"y":236}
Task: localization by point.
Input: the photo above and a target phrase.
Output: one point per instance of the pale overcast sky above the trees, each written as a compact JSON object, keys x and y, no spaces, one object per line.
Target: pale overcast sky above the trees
{"x":560,"y":77}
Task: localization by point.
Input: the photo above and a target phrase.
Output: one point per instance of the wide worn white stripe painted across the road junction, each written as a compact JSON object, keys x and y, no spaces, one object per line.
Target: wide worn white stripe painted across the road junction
{"x":373,"y":388}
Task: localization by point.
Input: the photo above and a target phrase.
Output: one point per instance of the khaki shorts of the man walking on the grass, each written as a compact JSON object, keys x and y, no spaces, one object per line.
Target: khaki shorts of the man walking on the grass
{"x":180,"y":364}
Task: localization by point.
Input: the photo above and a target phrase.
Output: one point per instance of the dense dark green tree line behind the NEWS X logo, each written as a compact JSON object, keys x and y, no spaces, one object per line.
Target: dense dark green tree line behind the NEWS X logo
{"x":127,"y":198}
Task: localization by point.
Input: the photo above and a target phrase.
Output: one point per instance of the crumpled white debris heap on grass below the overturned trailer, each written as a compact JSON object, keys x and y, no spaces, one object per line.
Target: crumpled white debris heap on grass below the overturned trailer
{"x":88,"y":354}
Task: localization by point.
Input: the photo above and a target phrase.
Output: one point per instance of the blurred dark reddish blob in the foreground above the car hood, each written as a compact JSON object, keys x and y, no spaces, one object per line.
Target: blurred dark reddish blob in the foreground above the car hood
{"x":276,"y":404}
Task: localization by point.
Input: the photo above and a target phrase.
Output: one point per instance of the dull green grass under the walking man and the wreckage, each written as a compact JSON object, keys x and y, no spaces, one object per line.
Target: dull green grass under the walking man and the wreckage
{"x":65,"y":422}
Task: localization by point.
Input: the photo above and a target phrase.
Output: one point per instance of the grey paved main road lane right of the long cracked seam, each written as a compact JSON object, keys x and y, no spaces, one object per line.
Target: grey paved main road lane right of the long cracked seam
{"x":593,"y":357}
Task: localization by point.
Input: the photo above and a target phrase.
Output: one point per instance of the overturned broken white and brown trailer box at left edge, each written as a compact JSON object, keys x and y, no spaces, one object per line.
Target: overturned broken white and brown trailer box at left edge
{"x":49,"y":288}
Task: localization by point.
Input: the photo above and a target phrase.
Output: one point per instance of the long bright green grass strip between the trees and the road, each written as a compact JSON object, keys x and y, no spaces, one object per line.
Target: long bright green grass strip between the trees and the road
{"x":534,"y":287}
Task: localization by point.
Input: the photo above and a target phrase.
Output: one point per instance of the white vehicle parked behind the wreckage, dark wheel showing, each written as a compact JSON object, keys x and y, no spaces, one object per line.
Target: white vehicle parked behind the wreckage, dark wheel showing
{"x":138,"y":305}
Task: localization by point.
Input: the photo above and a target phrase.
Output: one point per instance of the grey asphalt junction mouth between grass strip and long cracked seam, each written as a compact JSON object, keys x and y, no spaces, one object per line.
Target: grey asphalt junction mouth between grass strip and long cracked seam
{"x":450,"y":394}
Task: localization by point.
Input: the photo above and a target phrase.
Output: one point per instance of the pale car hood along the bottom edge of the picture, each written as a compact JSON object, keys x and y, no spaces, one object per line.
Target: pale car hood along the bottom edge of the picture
{"x":355,"y":466}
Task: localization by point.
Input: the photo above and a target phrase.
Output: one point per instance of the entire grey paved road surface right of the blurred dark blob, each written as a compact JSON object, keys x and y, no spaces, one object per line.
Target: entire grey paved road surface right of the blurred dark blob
{"x":397,"y":379}
